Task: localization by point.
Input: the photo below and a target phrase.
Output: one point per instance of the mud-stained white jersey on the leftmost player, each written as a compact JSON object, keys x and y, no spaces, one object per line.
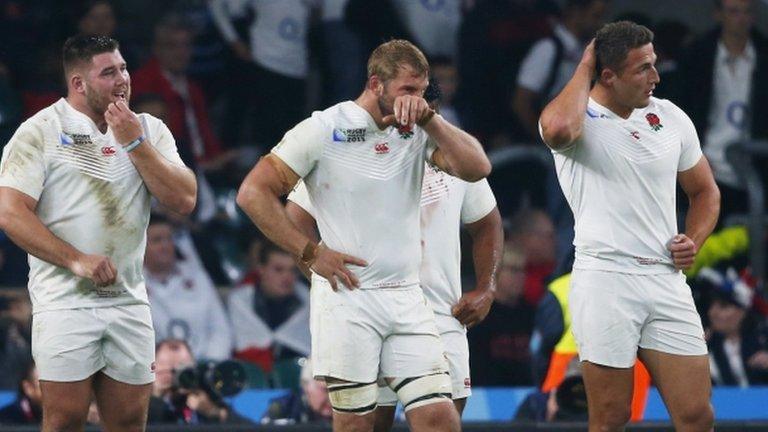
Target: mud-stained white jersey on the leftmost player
{"x":88,"y":194}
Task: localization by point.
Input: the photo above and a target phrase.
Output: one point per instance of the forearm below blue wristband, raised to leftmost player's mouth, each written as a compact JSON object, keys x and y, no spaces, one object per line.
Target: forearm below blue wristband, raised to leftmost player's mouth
{"x":173,"y":185}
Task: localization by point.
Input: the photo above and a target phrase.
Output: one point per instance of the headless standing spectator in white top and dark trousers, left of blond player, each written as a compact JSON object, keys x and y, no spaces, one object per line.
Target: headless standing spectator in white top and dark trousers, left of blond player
{"x":277,"y":63}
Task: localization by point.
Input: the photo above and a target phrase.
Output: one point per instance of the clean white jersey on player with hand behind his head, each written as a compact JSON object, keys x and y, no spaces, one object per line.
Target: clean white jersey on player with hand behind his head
{"x":620,"y":179}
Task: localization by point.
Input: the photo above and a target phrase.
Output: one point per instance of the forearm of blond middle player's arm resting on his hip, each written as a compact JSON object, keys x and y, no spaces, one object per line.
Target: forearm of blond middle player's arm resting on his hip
{"x":264,"y":208}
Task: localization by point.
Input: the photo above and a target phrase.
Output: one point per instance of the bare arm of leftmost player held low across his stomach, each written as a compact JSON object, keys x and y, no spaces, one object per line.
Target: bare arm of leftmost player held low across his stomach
{"x":19,"y":221}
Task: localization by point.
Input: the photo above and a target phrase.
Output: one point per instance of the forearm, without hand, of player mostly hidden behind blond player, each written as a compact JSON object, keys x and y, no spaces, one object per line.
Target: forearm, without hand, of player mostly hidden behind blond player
{"x":487,"y":249}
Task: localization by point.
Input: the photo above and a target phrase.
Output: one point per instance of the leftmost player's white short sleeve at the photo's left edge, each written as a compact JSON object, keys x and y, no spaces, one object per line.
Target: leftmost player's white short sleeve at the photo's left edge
{"x":23,"y":162}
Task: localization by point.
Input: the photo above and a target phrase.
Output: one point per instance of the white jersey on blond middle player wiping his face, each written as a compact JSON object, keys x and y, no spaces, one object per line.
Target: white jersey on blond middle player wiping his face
{"x":364,"y":184}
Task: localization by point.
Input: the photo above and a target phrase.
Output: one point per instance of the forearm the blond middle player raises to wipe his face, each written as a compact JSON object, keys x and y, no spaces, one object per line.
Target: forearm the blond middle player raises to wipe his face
{"x":462,"y":152}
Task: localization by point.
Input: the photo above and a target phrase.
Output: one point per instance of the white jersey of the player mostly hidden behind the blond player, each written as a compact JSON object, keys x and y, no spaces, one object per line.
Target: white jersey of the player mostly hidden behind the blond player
{"x":446,"y":203}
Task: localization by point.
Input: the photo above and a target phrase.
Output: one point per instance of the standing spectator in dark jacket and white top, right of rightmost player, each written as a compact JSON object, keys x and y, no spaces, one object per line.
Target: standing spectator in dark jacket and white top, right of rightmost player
{"x":724,"y":92}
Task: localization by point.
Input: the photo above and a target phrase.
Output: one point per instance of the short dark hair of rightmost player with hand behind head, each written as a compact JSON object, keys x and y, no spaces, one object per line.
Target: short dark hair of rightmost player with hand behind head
{"x":614,"y":41}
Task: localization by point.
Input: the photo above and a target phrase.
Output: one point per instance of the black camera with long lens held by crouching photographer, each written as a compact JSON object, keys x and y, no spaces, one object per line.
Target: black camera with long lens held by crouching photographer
{"x":218,"y":380}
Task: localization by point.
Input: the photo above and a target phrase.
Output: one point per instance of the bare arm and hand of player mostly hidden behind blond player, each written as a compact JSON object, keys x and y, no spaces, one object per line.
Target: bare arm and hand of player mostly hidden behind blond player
{"x":487,"y":248}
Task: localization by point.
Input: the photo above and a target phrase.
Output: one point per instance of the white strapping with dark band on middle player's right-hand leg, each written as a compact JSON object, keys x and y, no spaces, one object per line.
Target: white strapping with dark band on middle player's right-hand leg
{"x":416,"y":392}
